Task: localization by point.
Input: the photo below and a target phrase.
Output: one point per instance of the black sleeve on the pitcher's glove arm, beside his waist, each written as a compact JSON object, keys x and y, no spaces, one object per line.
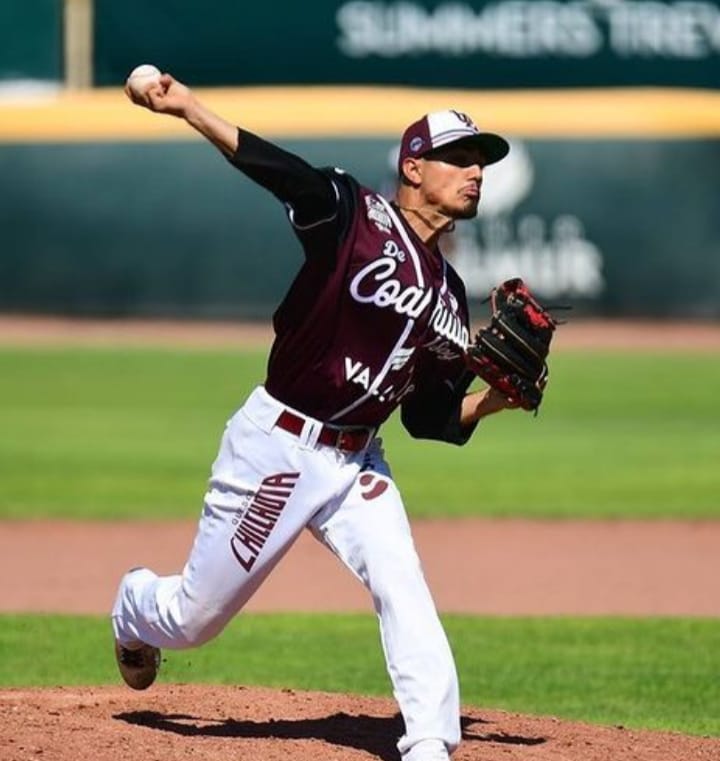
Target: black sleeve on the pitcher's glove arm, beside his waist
{"x":432,"y":410}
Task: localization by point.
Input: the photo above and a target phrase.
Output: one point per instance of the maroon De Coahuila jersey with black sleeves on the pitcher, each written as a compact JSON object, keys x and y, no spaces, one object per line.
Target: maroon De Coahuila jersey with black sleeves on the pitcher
{"x":373,"y":319}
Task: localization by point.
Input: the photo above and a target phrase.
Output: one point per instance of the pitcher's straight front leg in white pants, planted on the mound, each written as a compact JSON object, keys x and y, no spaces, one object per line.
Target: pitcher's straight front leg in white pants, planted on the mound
{"x":370,"y":533}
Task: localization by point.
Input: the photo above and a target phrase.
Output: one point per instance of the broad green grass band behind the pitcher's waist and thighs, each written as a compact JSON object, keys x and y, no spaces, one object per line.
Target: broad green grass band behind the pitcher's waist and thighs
{"x":93,"y":433}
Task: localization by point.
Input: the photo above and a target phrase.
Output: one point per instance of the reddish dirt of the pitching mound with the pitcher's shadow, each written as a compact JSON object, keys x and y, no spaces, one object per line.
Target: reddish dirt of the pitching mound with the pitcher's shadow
{"x":179,"y":722}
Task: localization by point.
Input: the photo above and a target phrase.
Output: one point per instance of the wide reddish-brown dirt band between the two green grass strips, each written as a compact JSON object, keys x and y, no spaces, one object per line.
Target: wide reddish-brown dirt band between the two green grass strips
{"x":475,"y":566}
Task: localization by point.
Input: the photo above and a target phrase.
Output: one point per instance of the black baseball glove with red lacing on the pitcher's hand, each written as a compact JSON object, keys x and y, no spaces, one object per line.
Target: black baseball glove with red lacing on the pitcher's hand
{"x":510,"y":353}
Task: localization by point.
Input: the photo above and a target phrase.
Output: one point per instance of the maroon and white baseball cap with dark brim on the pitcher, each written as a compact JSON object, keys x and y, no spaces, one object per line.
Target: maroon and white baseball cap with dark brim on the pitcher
{"x":441,"y":128}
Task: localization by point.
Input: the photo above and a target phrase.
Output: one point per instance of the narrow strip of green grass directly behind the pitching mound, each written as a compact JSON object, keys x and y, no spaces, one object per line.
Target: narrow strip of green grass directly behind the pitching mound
{"x":658,"y":673}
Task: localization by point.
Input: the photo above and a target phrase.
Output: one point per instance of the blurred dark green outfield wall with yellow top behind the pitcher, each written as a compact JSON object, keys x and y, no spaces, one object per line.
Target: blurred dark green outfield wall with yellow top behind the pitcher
{"x":608,"y":200}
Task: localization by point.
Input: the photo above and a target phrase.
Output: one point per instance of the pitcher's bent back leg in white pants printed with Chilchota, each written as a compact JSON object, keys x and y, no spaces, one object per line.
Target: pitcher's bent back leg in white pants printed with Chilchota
{"x":263,"y":490}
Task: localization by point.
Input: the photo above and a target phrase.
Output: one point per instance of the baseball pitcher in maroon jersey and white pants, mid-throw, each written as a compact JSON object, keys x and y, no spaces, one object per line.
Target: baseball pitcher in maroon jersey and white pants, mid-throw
{"x":376,"y":318}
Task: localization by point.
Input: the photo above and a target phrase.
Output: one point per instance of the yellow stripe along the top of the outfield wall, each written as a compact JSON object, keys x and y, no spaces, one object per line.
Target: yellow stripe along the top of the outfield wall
{"x":105,"y":114}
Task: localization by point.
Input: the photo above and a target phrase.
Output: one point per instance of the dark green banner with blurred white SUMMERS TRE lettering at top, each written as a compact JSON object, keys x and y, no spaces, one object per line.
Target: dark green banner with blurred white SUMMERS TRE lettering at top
{"x":442,"y":43}
